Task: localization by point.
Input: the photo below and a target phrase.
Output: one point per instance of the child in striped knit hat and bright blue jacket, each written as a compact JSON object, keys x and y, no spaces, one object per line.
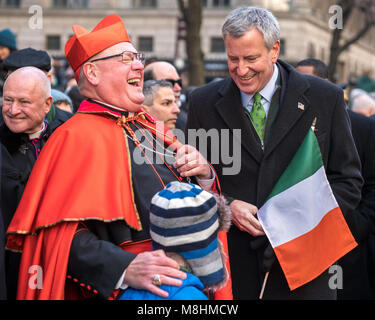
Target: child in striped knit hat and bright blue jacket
{"x":184,"y":222}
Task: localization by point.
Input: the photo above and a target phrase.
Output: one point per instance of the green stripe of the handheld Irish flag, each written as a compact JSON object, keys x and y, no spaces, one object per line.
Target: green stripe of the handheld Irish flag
{"x":304,"y":164}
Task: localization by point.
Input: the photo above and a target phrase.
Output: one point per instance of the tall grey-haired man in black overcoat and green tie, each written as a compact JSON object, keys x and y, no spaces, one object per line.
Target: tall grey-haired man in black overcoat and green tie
{"x":290,"y":102}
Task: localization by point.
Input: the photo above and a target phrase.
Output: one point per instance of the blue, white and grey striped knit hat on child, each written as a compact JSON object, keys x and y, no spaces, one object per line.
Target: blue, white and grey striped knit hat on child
{"x":184,"y":219}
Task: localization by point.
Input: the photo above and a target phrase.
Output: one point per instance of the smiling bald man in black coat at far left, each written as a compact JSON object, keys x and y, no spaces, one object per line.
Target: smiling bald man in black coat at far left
{"x":26,"y":101}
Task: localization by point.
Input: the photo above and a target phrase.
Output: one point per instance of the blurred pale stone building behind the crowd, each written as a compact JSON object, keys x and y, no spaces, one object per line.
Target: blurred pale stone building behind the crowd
{"x":157,"y":30}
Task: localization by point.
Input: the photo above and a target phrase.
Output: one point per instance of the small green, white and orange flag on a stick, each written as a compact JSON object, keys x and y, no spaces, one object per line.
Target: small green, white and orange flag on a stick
{"x":302,"y":219}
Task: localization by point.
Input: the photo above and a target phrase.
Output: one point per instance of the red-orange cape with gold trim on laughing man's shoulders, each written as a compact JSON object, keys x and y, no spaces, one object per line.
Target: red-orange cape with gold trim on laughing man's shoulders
{"x":63,"y":190}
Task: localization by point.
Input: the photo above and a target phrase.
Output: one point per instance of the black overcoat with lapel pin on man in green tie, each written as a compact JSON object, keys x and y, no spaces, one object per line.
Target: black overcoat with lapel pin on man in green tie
{"x":218,"y":105}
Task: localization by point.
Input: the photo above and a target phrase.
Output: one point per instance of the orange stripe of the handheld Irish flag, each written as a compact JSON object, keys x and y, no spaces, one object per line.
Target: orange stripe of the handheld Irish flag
{"x":306,"y":257}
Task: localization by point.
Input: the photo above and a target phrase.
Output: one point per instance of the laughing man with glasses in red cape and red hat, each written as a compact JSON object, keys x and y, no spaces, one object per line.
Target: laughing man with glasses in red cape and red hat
{"x":83,"y":220}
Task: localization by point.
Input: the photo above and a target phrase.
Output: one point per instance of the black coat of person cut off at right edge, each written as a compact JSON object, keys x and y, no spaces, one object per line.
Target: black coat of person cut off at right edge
{"x":356,"y":265}
